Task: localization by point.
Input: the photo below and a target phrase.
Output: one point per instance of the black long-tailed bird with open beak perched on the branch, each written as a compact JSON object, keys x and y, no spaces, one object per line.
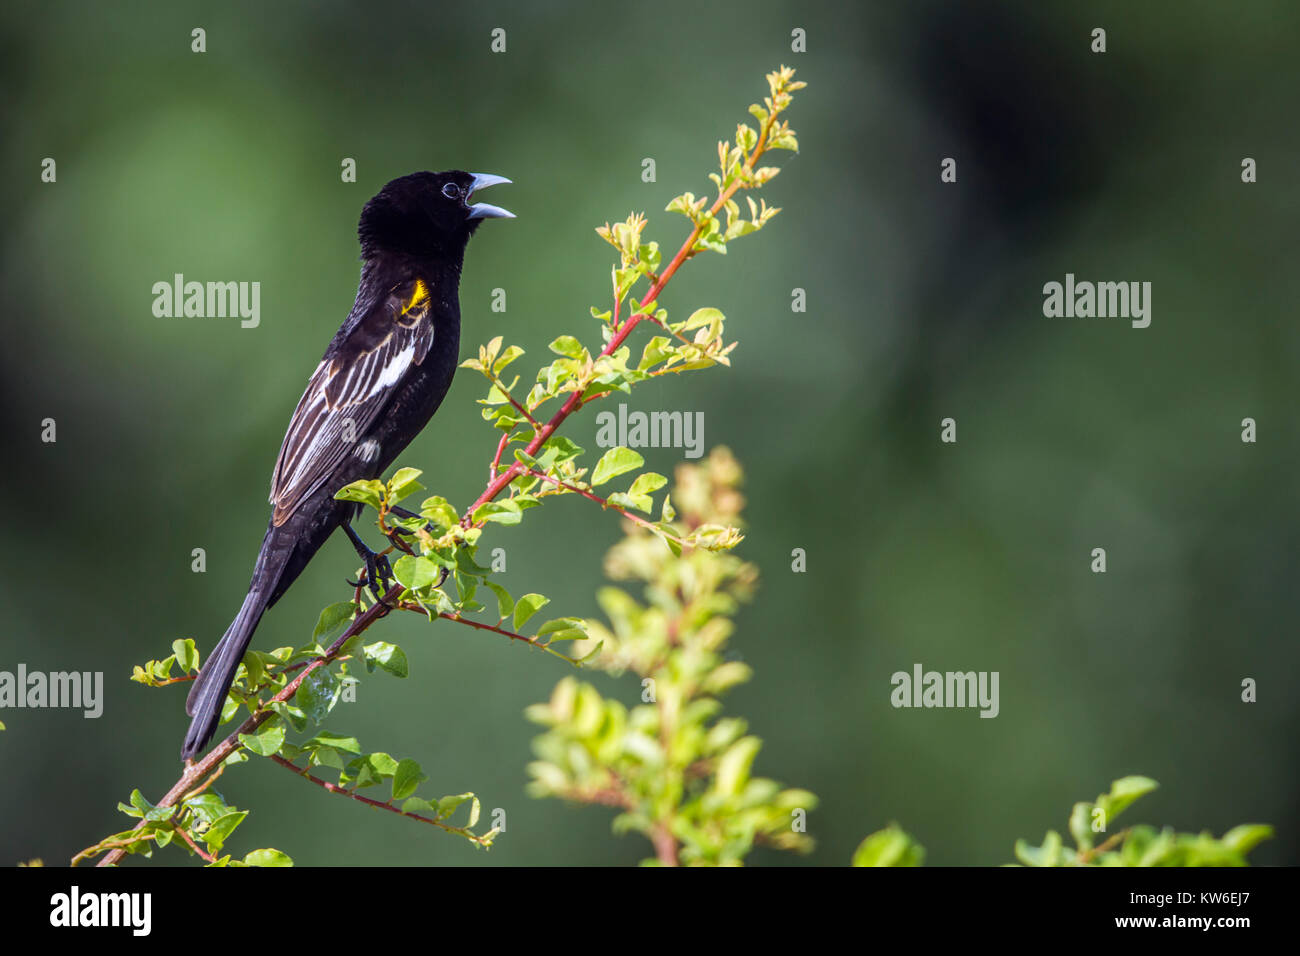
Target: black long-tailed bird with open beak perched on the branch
{"x":382,"y":379}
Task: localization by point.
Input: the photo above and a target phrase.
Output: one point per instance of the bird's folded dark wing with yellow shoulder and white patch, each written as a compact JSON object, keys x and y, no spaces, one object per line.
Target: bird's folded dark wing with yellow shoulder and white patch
{"x":349,"y":391}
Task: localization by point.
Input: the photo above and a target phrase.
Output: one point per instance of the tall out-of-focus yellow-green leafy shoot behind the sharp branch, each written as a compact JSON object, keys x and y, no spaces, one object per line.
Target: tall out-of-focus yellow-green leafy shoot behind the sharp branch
{"x":678,"y":769}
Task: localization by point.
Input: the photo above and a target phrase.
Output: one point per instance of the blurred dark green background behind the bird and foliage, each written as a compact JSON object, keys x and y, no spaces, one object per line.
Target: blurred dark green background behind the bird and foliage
{"x":925,"y":302}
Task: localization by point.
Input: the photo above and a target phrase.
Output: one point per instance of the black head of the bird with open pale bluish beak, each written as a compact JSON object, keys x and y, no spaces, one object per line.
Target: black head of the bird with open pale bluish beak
{"x":427,"y":214}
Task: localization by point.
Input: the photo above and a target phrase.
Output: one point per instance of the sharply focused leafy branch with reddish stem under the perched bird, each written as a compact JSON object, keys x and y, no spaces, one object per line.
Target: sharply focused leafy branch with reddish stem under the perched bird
{"x":294,"y":689}
